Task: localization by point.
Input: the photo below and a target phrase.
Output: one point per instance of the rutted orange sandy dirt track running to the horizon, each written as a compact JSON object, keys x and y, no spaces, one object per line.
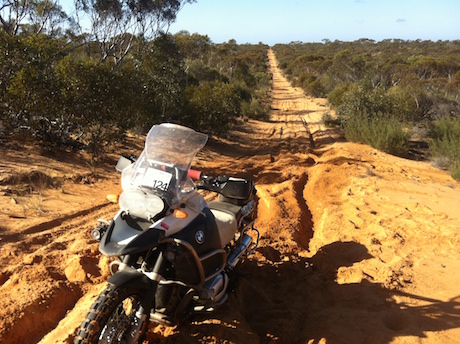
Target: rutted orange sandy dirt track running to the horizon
{"x":357,"y":246}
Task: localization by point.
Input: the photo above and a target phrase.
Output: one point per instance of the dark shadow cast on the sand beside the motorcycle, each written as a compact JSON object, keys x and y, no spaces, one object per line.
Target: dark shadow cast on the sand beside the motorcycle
{"x":299,"y":301}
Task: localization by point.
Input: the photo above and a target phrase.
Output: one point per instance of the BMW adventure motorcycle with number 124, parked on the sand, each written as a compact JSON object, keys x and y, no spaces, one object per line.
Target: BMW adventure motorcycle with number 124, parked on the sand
{"x":176,"y":254}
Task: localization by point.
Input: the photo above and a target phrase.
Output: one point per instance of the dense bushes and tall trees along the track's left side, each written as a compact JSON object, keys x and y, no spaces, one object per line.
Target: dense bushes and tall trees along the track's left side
{"x":68,"y":87}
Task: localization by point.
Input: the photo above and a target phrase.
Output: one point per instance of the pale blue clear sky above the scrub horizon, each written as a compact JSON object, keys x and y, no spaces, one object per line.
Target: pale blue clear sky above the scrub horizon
{"x":284,"y":21}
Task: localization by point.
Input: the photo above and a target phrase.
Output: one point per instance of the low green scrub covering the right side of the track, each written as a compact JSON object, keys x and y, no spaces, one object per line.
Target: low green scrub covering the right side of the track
{"x":385,"y":93}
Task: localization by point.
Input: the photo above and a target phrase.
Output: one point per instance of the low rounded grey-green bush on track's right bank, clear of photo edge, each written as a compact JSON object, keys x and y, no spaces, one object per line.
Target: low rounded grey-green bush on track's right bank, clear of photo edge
{"x":382,"y":132}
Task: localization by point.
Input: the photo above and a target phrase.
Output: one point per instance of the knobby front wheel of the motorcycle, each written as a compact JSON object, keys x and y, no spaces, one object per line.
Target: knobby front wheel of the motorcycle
{"x":115,"y":317}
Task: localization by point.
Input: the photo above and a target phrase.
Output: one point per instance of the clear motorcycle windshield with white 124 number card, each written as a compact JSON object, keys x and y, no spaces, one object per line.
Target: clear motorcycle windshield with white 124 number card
{"x":163,"y":165}
